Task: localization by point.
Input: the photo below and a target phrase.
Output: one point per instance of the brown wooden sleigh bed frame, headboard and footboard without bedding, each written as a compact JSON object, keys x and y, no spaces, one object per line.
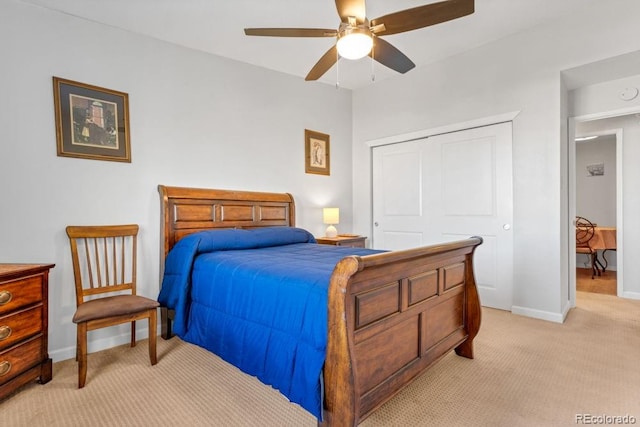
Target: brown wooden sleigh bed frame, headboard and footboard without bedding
{"x":390,"y":316}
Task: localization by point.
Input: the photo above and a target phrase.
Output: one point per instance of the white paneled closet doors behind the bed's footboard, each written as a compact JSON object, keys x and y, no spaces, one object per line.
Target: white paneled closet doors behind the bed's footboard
{"x":449,"y":187}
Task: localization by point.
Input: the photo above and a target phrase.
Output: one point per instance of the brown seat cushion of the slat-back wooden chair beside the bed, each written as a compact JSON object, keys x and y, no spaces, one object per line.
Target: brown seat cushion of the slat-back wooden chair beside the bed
{"x":117,"y":305}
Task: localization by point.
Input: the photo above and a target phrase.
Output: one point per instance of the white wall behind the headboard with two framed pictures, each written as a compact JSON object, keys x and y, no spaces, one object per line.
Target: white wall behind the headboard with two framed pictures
{"x":196,"y":120}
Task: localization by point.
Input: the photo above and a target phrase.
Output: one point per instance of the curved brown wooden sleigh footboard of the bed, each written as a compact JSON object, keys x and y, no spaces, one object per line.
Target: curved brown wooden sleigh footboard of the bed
{"x":391,"y":316}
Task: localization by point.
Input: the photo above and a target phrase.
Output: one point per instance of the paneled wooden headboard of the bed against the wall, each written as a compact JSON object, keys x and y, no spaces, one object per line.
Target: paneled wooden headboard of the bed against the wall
{"x":188,"y":210}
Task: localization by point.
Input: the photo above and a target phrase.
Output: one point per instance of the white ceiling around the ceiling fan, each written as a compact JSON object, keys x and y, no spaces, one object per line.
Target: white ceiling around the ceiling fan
{"x":216,"y":26}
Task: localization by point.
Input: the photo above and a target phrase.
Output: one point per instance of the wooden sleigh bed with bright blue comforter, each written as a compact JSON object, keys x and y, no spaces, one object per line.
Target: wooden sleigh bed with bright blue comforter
{"x":387,"y":316}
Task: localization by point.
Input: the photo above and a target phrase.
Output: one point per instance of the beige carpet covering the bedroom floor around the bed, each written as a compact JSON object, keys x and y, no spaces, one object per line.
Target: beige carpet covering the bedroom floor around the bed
{"x":526,"y":372}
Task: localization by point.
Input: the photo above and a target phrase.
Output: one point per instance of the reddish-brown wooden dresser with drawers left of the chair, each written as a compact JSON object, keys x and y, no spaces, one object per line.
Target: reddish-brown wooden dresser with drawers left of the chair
{"x":24,"y":353}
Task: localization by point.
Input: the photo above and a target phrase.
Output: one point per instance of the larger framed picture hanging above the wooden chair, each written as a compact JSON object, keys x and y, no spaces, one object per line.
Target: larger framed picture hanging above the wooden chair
{"x":91,"y":122}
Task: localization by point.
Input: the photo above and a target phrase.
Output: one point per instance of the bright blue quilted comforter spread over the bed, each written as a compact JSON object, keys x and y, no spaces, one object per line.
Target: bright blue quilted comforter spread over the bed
{"x":258,"y":299}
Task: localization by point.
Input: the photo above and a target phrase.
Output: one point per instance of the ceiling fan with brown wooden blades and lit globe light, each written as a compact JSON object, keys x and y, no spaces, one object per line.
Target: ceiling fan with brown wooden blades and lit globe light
{"x":357,"y":36}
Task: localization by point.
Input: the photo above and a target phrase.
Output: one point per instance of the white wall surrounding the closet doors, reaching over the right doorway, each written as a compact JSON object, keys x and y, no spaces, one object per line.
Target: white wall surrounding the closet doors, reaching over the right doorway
{"x":519,"y":73}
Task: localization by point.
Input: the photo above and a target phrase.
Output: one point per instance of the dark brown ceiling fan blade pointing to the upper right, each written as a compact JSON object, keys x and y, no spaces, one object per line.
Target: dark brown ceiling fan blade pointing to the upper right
{"x":422,"y":16}
